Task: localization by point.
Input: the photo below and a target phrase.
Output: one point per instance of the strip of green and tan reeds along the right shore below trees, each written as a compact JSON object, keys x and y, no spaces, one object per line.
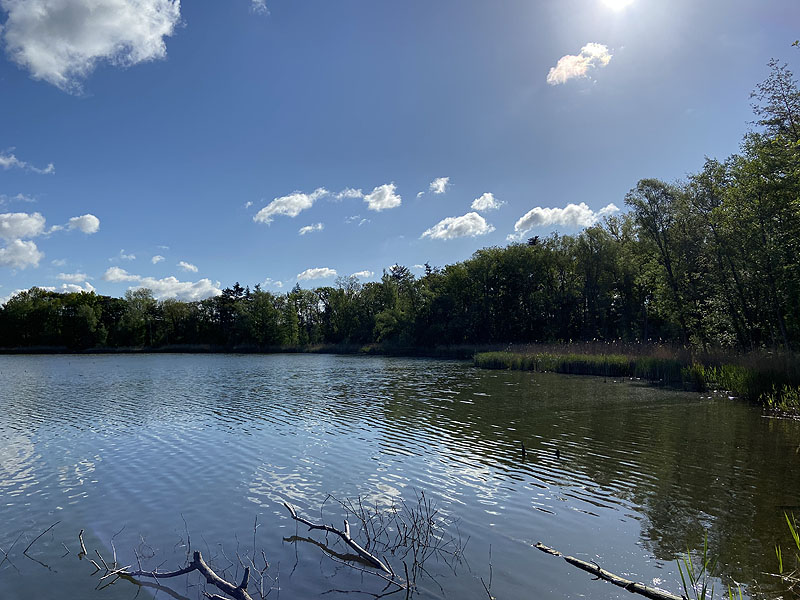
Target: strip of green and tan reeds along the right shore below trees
{"x":770,"y":379}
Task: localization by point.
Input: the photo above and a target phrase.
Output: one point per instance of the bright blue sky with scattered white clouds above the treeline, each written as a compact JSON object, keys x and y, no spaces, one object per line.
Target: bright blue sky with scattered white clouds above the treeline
{"x":184,"y":147}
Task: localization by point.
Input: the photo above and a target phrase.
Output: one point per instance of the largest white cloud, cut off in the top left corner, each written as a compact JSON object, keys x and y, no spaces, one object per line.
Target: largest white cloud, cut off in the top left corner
{"x":61,"y":41}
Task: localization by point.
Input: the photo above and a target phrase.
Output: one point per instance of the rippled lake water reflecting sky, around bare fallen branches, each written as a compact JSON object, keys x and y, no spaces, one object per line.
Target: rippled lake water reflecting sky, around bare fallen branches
{"x":153,"y":449}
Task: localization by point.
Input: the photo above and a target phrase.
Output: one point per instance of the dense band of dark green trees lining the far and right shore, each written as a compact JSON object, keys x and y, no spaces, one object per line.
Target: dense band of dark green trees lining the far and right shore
{"x":711,"y":261}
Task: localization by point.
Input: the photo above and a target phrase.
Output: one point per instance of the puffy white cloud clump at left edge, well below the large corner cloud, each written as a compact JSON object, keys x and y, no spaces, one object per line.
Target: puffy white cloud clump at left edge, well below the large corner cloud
{"x":17,"y":229}
